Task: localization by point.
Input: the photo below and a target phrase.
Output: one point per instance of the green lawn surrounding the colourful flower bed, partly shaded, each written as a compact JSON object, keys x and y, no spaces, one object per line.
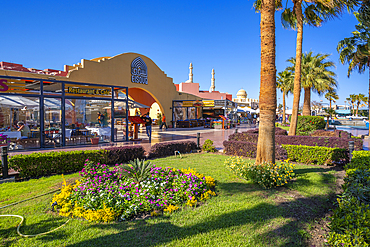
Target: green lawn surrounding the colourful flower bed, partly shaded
{"x":242,"y":214}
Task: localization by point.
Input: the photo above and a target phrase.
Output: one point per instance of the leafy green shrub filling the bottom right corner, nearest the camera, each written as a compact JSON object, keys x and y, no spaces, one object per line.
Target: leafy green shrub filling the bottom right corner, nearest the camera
{"x":350,"y":225}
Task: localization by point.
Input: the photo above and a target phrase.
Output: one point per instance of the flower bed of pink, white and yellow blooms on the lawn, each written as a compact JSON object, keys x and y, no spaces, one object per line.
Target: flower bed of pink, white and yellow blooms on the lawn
{"x":106,"y":195}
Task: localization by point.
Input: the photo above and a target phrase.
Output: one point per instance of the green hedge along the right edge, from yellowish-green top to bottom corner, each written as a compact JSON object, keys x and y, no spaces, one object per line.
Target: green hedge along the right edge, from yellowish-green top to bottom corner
{"x":350,"y":223}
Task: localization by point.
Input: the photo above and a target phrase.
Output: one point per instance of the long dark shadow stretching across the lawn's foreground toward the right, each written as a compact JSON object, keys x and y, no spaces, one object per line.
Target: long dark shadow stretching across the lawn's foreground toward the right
{"x":299,"y":211}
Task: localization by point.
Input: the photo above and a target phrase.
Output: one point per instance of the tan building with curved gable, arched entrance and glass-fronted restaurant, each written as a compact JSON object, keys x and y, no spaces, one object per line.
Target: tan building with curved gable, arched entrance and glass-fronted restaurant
{"x":88,"y":100}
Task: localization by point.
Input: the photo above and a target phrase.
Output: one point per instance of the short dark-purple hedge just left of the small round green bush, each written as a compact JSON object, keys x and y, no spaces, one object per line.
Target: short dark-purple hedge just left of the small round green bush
{"x":169,"y":148}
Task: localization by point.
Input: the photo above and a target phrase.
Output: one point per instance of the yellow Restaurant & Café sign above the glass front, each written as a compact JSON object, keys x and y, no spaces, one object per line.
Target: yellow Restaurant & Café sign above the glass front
{"x":87,"y":90}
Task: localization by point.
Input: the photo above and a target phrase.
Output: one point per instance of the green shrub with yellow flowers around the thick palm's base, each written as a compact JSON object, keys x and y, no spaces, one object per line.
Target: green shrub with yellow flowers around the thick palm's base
{"x":267,"y":175}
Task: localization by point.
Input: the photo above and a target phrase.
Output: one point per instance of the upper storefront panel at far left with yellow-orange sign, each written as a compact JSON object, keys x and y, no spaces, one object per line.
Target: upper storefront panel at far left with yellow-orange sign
{"x":19,"y":86}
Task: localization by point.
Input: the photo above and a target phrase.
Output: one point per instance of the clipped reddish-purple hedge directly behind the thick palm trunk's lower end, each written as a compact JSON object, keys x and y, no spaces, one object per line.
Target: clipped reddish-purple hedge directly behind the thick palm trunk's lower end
{"x":249,"y":149}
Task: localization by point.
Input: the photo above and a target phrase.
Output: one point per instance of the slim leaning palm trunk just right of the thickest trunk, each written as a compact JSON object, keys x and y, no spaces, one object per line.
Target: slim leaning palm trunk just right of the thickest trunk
{"x":297,"y":75}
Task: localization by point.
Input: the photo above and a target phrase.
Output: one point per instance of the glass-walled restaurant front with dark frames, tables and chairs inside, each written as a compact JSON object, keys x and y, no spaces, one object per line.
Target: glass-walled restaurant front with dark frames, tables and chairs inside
{"x":61,"y":113}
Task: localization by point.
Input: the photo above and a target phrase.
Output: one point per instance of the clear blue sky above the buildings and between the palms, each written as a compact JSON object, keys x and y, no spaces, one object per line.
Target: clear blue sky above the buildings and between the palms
{"x":223,"y":35}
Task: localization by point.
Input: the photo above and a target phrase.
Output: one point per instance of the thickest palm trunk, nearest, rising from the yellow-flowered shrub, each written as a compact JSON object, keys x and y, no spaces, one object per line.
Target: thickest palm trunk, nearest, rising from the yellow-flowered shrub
{"x":267,"y":98}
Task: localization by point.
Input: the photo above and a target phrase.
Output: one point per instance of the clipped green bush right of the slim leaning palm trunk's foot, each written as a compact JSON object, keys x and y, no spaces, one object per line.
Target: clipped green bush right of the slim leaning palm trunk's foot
{"x":307,"y":124}
